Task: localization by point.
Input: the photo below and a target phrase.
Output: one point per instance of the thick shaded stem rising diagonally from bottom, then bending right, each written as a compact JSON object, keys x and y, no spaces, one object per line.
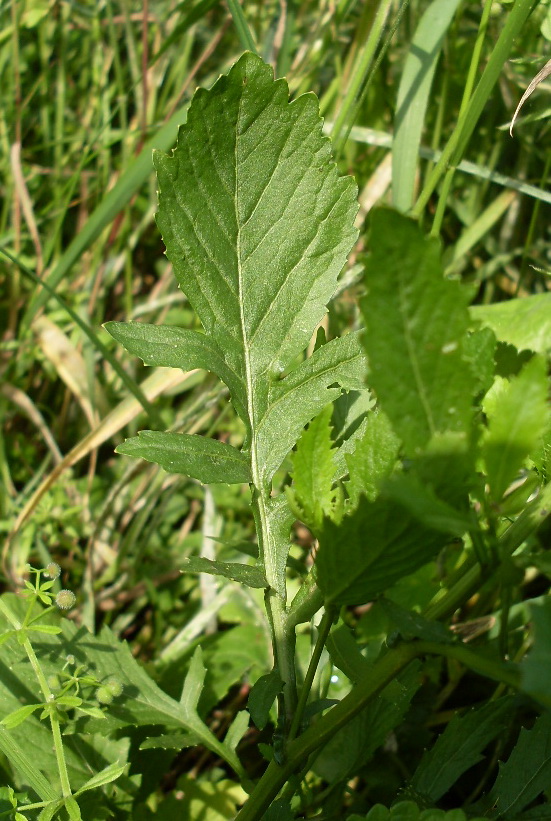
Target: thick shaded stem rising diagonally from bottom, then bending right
{"x":384,"y":671}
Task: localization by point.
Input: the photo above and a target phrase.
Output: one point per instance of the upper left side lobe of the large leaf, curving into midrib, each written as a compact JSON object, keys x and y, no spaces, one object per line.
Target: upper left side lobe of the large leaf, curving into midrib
{"x":169,"y":347}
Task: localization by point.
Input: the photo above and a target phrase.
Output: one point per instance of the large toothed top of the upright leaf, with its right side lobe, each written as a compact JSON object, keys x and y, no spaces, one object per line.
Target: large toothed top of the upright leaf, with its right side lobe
{"x":257,"y":225}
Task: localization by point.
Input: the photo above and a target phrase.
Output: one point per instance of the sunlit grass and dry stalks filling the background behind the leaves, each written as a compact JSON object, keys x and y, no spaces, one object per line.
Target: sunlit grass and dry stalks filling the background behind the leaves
{"x":88,"y":90}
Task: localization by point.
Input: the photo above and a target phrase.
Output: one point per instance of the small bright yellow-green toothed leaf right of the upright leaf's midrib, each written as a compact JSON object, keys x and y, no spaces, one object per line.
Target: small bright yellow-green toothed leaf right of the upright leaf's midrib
{"x":312,"y":495}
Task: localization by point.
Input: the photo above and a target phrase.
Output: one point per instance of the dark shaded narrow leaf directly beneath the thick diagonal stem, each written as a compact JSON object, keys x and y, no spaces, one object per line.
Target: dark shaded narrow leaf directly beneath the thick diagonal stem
{"x":353,"y":745}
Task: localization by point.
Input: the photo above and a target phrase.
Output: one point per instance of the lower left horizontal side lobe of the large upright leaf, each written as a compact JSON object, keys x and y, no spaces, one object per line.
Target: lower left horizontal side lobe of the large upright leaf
{"x":207,"y":460}
